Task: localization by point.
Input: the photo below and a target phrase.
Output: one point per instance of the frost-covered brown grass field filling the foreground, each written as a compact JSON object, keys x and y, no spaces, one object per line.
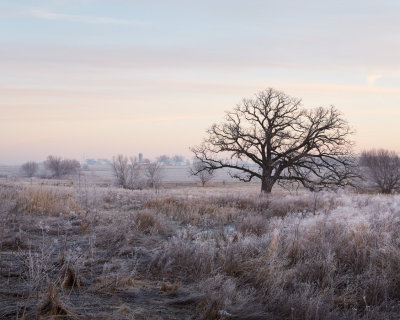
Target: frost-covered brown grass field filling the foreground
{"x":197,"y":253}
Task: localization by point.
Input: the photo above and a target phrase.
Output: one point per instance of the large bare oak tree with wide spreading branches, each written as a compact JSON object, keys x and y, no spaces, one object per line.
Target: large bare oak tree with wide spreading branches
{"x":272,"y":138}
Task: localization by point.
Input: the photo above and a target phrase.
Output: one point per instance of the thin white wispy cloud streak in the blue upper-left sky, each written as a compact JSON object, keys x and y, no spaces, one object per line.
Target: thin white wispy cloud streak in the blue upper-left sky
{"x":48,"y":15}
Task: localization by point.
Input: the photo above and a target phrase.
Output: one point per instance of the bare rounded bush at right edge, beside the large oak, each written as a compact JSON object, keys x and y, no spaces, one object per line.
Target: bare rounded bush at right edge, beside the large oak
{"x":382,"y":168}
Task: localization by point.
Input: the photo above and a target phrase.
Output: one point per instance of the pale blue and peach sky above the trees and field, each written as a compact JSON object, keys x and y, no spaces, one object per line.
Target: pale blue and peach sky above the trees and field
{"x":98,"y":78}
